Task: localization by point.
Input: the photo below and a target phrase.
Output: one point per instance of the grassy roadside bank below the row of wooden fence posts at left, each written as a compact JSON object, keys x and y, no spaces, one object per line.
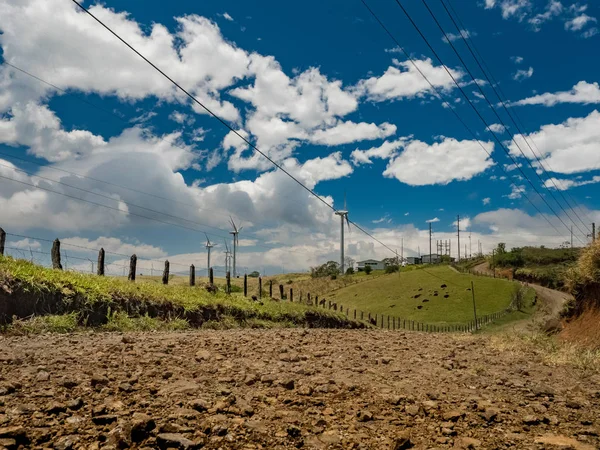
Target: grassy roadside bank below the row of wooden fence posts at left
{"x":27,"y":290}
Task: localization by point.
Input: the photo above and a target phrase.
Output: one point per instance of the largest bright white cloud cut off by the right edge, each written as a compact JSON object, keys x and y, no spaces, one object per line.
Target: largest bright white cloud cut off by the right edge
{"x":569,"y":147}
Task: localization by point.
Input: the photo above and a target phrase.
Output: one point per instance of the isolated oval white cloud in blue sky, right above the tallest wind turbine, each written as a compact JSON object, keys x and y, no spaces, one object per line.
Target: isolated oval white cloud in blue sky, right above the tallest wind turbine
{"x":421,"y":164}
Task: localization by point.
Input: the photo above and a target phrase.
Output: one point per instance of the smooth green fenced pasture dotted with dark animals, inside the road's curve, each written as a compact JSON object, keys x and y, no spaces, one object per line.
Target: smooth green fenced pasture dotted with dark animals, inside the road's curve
{"x":402,"y":294}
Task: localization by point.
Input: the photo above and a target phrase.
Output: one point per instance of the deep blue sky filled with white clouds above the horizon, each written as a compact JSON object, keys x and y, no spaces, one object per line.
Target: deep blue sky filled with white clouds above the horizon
{"x":326,"y":93}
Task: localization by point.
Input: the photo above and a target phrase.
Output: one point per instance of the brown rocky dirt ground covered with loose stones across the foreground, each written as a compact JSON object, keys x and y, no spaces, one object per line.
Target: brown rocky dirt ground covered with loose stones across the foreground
{"x":279,"y":389}
